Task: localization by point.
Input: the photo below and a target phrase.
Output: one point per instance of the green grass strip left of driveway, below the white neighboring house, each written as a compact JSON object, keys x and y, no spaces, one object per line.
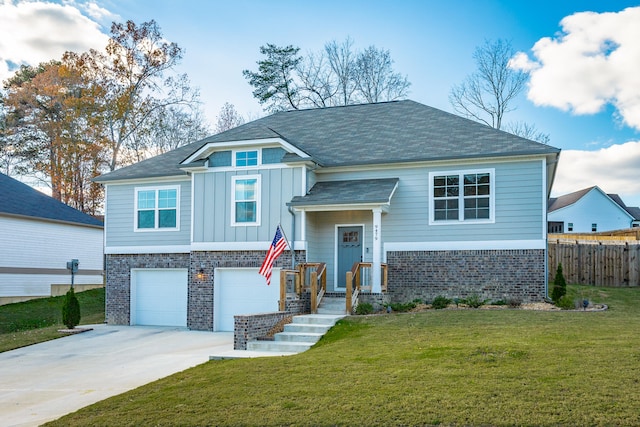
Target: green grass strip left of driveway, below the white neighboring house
{"x":38,"y":320}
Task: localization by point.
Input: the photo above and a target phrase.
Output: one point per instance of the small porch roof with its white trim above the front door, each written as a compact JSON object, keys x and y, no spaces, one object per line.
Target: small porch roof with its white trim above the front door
{"x":361,"y":194}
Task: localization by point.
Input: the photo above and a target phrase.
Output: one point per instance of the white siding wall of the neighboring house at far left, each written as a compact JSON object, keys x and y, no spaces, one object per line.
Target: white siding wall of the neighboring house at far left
{"x":34,"y":255}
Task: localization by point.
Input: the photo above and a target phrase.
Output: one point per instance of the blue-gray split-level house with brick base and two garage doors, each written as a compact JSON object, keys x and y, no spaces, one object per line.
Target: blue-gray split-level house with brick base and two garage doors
{"x":450,"y":206}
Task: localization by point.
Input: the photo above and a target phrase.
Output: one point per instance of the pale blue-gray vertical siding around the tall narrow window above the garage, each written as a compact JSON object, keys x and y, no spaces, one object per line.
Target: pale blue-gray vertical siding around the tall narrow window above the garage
{"x":213,"y":199}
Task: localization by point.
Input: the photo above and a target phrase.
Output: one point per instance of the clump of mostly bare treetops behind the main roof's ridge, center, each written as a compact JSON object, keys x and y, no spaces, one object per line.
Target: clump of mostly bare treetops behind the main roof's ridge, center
{"x":338,"y":75}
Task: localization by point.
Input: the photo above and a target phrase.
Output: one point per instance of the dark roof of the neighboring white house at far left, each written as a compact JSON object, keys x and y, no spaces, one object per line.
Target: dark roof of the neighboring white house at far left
{"x":17,"y":198}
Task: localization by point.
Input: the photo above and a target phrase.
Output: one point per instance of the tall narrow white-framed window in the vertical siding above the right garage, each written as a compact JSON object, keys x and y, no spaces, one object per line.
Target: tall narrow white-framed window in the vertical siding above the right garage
{"x":245,"y":205}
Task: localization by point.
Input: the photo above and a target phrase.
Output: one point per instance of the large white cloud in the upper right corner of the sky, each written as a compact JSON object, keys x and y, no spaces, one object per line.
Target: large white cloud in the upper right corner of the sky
{"x":594,"y":61}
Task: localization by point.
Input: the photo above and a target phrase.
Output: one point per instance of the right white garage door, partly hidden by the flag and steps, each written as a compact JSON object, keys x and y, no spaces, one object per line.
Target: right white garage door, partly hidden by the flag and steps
{"x":243,"y":291}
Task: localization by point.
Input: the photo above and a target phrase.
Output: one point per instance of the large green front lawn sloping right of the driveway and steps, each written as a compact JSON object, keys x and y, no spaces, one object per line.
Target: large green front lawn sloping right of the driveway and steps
{"x":445,"y":367}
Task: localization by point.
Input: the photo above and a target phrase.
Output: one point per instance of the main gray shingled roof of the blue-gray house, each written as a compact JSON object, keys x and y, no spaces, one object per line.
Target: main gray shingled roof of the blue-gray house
{"x":381,"y":133}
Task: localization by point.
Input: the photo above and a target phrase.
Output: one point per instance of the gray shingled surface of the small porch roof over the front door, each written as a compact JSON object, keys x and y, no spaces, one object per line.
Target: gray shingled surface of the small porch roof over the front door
{"x":363,"y":191}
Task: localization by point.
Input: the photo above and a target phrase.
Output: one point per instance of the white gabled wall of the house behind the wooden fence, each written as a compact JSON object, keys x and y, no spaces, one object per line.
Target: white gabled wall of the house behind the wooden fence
{"x":593,"y":208}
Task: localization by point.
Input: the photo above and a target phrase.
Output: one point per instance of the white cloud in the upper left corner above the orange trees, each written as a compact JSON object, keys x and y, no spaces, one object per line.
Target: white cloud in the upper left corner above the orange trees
{"x":36,"y":31}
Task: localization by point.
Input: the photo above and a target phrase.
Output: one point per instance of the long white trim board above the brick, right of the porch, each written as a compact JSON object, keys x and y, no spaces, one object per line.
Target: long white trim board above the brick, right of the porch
{"x":466,"y":245}
